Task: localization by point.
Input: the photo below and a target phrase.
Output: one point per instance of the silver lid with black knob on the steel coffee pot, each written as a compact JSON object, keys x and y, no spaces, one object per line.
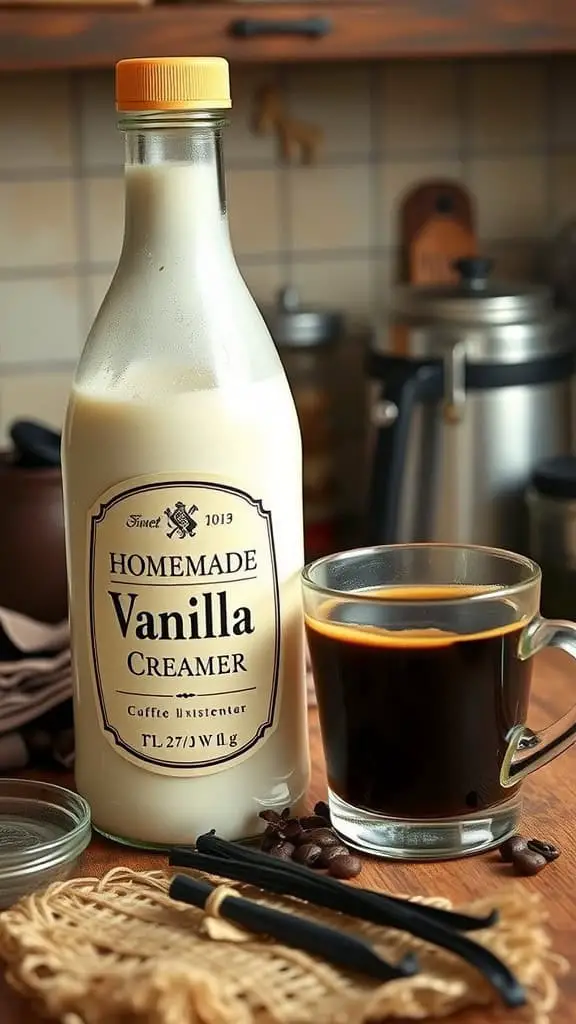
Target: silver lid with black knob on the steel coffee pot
{"x":475,"y":301}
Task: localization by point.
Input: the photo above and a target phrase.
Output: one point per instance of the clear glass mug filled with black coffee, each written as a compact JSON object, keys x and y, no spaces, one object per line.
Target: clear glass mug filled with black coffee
{"x":422,"y":656}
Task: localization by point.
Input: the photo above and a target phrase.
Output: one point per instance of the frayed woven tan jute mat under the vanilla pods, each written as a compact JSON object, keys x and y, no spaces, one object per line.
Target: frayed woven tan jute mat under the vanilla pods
{"x":118,"y":951}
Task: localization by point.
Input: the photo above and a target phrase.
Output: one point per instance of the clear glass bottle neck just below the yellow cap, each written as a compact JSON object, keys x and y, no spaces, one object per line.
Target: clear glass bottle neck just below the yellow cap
{"x":176,"y":192}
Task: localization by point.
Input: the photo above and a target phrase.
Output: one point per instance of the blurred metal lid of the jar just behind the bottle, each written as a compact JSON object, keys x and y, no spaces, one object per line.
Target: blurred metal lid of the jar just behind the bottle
{"x":292,"y":325}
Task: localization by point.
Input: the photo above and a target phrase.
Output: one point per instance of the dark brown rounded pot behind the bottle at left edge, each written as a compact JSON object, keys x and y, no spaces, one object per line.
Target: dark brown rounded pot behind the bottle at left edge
{"x":32,"y":542}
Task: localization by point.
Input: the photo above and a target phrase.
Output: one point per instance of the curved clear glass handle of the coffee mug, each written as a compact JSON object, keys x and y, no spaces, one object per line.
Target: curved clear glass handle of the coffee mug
{"x":528,"y":751}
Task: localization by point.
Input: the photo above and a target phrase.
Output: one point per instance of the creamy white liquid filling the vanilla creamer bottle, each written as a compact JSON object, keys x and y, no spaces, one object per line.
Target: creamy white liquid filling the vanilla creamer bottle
{"x":154,"y":412}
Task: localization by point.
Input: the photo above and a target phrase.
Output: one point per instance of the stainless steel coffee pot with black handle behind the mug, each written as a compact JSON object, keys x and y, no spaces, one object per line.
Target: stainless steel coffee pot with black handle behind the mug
{"x":477,"y":392}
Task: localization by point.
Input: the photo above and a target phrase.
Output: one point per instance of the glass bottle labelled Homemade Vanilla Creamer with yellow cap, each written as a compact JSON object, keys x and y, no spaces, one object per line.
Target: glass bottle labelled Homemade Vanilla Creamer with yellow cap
{"x":183,"y":490}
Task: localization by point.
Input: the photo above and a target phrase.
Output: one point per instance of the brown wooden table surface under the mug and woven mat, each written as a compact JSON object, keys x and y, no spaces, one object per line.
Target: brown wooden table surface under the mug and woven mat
{"x":550,"y":814}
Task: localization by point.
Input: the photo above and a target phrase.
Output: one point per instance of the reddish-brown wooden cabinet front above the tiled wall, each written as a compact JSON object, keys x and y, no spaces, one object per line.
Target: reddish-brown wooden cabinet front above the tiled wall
{"x":86,"y":37}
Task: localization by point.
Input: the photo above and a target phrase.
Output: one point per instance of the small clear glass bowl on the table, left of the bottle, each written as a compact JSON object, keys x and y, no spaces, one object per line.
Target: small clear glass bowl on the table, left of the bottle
{"x":44,"y":831}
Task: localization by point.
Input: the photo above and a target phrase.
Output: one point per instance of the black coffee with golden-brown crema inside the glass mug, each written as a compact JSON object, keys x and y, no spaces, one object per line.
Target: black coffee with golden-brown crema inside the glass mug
{"x":415,"y":721}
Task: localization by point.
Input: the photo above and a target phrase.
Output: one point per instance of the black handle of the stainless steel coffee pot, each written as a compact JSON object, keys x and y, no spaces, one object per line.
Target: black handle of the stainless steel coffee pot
{"x":404,"y":387}
